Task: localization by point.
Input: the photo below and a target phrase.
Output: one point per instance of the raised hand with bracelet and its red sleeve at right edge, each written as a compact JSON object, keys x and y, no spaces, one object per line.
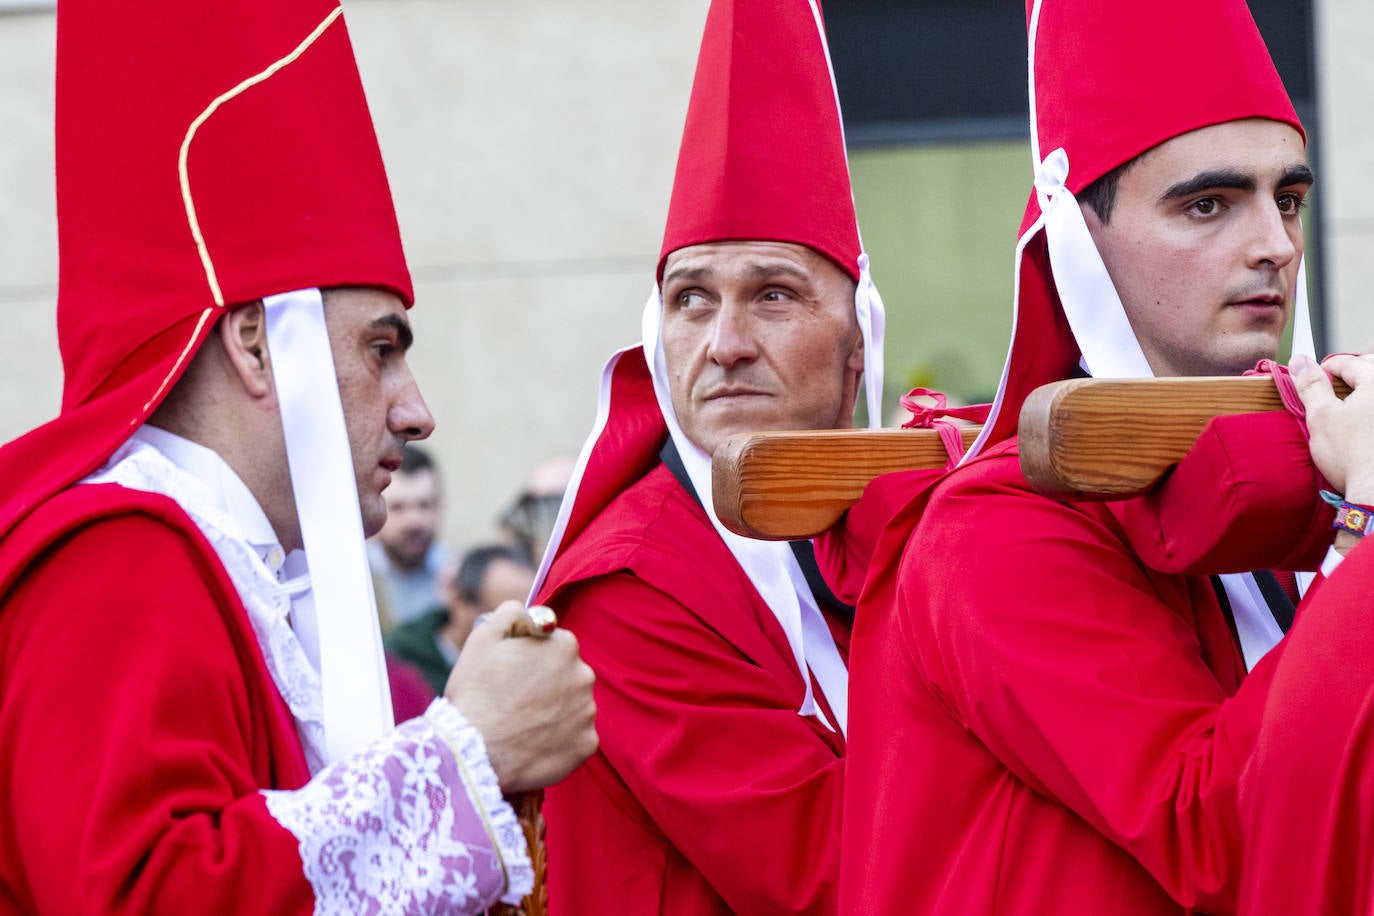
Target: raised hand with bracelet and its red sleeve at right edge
{"x":1307,"y":794}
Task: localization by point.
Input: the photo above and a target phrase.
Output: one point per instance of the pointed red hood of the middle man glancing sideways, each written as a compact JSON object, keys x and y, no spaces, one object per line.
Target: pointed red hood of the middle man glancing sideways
{"x":763,"y":153}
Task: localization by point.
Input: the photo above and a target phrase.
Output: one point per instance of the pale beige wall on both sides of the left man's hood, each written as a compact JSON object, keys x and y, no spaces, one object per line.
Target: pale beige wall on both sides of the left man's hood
{"x":531,"y":148}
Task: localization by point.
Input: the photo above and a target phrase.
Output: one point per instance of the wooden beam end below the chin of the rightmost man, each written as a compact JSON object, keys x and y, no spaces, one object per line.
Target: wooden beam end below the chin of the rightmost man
{"x":1115,"y":439}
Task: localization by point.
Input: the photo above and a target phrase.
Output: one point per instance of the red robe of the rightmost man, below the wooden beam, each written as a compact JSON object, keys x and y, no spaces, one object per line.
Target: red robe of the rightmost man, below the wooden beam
{"x":1042,"y":724}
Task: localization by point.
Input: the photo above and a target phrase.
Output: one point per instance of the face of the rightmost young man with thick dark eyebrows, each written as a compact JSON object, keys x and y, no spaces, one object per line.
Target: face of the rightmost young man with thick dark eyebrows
{"x":1204,"y":245}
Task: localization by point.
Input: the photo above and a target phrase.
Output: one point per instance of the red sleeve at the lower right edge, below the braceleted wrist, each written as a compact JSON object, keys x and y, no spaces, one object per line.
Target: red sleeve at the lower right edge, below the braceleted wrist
{"x":1309,"y":796}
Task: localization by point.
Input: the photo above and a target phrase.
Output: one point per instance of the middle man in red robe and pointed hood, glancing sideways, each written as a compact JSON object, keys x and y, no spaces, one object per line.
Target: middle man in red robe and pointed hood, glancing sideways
{"x":719,"y":661}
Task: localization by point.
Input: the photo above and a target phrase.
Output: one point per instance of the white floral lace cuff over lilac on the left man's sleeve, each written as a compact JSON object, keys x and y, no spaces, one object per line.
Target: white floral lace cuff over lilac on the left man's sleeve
{"x":413,"y":825}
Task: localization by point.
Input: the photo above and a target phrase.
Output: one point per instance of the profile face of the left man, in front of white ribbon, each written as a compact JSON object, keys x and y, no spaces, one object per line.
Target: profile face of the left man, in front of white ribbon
{"x":383,"y":406}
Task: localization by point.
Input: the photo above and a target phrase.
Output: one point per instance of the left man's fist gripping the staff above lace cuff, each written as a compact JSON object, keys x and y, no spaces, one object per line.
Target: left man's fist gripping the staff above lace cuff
{"x":530,"y":697}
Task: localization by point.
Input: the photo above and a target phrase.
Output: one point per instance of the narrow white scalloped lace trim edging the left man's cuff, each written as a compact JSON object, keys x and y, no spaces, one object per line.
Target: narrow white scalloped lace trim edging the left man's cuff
{"x":486,"y":793}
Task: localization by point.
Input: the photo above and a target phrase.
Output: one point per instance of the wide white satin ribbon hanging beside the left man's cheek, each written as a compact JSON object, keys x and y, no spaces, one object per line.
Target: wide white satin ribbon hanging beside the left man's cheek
{"x":357,"y":698}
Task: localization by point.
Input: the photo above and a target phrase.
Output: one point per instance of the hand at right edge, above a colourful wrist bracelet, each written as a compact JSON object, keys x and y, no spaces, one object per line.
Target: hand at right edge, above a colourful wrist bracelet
{"x":1343,"y":432}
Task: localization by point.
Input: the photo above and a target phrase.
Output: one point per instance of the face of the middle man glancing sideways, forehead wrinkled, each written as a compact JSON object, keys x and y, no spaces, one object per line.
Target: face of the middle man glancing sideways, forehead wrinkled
{"x":759,"y":336}
